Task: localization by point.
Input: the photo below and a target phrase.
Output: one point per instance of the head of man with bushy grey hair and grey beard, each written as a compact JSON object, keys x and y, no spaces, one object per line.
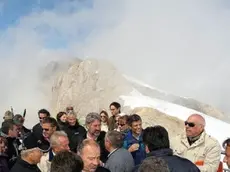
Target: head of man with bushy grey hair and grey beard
{"x":93,"y":124}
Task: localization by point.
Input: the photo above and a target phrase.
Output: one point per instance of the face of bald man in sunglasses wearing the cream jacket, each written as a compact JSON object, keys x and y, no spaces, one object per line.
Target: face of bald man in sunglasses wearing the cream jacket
{"x":192,"y":127}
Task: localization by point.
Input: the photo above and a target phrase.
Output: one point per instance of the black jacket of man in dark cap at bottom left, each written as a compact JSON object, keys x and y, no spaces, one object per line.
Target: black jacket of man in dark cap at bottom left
{"x":23,"y":166}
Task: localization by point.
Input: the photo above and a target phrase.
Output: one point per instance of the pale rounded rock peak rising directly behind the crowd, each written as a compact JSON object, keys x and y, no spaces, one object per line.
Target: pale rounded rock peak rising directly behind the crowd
{"x":88,"y":86}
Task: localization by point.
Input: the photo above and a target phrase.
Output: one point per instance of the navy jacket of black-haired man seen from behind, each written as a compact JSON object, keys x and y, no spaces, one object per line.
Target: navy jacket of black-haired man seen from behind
{"x":175,"y":163}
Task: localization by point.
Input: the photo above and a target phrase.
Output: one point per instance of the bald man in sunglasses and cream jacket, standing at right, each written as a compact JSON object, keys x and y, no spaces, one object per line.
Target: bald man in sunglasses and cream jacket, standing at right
{"x":197,"y":146}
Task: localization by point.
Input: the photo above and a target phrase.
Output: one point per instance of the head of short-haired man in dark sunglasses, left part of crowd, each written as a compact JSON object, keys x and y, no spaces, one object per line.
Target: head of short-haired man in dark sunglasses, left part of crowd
{"x":49,"y":126}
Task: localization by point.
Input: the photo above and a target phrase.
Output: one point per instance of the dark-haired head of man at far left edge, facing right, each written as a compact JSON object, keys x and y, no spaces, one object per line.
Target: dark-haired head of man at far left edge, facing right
{"x":10,"y":128}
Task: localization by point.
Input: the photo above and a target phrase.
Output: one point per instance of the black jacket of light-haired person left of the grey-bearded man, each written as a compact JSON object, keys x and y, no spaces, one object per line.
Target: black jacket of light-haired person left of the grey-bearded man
{"x":75,"y":134}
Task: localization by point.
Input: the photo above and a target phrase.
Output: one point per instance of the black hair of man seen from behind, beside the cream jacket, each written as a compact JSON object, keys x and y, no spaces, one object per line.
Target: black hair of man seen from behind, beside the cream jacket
{"x":156,"y":138}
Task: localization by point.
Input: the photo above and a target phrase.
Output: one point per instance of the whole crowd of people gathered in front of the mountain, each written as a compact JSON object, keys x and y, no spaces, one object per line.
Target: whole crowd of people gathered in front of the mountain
{"x":106,"y":144}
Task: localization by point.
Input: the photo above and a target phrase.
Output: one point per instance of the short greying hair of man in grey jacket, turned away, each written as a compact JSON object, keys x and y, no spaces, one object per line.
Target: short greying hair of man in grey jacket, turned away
{"x":116,"y":138}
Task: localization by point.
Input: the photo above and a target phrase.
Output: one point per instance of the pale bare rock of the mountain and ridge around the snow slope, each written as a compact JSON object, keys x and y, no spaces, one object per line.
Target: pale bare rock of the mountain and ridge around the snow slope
{"x":91,"y":85}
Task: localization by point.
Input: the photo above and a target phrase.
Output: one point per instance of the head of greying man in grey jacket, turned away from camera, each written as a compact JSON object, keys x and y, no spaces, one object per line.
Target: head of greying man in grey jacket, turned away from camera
{"x":113,"y":140}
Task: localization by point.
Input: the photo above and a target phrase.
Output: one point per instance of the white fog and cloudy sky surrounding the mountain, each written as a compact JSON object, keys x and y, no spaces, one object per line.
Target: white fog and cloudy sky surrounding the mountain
{"x":178,"y":46}
